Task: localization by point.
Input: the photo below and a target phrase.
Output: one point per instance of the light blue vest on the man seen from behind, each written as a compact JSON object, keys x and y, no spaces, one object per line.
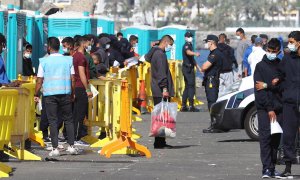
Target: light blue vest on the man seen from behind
{"x":57,"y":75}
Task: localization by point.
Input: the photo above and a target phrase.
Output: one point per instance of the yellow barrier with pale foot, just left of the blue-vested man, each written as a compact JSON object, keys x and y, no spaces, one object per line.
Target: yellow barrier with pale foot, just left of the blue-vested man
{"x":21,"y":126}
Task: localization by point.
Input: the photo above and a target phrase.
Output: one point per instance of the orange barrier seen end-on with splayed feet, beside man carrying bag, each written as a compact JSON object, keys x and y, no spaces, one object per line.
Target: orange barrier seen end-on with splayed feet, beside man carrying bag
{"x":124,"y":140}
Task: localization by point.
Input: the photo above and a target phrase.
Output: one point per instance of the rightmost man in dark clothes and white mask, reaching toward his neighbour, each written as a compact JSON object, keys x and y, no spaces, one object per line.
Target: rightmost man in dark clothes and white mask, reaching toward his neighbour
{"x":290,"y":77}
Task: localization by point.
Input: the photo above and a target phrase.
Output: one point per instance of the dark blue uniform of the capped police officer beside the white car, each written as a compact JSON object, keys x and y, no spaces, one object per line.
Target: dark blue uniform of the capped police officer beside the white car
{"x":211,"y":77}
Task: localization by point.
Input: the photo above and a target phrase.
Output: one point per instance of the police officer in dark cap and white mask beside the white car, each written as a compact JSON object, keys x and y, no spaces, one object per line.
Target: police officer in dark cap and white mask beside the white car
{"x":211,"y":69}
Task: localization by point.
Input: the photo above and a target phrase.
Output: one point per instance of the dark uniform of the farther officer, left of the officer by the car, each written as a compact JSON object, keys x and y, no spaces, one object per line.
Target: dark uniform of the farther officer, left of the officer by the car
{"x":188,"y":70}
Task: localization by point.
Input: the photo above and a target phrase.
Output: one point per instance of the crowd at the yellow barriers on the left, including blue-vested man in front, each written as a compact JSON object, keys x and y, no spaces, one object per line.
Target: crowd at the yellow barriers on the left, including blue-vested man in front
{"x":64,"y":80}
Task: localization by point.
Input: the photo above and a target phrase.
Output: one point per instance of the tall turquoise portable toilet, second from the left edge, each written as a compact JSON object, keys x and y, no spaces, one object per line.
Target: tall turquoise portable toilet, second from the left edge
{"x":15,"y":37}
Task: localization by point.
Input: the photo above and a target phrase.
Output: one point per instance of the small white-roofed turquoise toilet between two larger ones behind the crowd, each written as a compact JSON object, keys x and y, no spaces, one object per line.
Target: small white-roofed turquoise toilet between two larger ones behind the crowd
{"x":102,"y":24}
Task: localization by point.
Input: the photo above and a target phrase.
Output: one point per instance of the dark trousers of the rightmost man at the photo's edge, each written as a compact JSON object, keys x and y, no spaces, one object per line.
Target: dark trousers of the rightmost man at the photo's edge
{"x":290,"y":126}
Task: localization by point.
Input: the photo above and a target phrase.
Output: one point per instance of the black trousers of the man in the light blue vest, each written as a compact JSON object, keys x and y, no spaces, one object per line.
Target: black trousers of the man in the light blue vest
{"x":64,"y":104}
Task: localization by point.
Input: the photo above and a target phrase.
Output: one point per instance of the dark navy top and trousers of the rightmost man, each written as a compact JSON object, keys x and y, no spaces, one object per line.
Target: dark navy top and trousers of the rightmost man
{"x":289,"y":73}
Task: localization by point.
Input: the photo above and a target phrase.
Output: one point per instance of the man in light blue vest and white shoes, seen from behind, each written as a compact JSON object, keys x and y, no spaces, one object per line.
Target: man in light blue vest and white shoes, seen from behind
{"x":56,"y":75}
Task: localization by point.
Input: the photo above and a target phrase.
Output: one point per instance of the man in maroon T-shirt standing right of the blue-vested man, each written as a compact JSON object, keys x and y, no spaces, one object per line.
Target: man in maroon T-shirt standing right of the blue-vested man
{"x":82,"y":90}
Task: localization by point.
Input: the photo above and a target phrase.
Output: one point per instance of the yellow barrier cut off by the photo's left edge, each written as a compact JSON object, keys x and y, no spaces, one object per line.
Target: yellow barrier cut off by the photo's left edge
{"x":8,"y":104}
